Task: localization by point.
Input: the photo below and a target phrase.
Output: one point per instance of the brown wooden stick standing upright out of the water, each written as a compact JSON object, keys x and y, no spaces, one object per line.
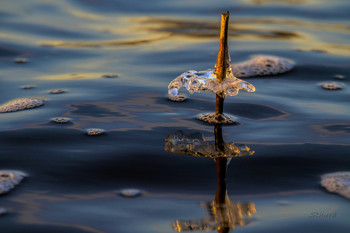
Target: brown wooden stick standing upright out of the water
{"x":223,"y":60}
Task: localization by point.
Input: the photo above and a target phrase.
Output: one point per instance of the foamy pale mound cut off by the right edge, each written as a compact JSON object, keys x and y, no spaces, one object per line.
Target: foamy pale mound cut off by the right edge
{"x":337,"y":182}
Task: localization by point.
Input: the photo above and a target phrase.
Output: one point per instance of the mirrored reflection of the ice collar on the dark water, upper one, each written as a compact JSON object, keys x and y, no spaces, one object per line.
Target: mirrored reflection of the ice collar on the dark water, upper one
{"x":196,"y":145}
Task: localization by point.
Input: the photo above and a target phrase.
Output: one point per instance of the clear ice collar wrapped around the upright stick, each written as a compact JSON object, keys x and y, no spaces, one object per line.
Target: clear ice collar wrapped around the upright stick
{"x":197,"y":81}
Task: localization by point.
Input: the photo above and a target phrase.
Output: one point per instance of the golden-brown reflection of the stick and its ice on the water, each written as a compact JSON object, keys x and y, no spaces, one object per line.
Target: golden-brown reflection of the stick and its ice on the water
{"x":223,"y":215}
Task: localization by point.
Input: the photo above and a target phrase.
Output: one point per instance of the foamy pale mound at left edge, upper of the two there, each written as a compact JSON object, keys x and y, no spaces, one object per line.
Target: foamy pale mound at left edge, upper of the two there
{"x":21,"y":104}
